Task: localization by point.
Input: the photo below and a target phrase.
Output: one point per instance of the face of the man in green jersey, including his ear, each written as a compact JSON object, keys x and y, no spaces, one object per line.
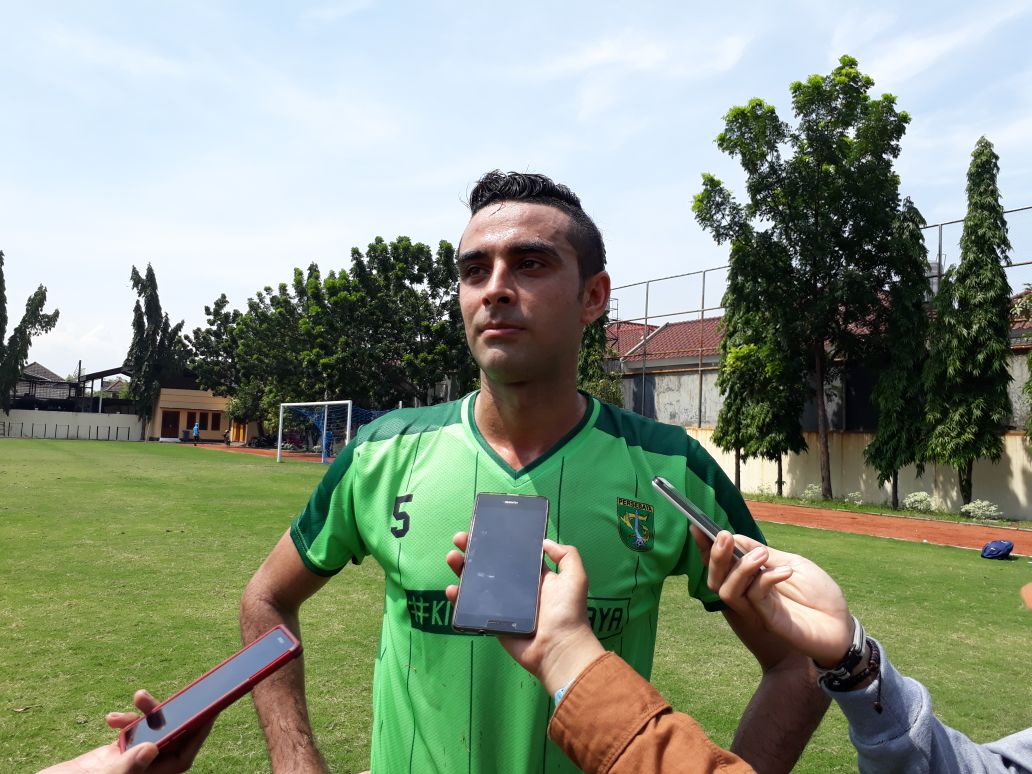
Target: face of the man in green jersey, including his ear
{"x":521,"y":293}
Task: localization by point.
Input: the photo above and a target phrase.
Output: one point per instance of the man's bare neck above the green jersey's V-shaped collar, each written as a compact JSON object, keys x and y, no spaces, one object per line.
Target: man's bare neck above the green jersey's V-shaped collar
{"x":522,"y":423}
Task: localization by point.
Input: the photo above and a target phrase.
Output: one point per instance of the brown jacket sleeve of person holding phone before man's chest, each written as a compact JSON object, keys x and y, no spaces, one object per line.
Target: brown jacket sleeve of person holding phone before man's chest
{"x":612,"y":721}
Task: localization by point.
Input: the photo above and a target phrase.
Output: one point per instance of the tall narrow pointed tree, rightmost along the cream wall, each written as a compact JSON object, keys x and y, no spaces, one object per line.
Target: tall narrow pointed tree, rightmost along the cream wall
{"x":967,"y":376}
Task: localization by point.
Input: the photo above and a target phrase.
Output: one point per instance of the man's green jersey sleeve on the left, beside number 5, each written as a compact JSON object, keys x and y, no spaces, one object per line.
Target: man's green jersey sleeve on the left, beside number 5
{"x":327,"y":532}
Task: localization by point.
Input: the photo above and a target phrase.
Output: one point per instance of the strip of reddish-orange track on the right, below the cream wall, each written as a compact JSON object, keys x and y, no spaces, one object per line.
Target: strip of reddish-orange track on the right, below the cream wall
{"x":916,"y":530}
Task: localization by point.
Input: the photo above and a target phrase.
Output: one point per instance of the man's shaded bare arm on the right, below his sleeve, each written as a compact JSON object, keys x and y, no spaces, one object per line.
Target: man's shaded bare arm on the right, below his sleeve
{"x":788,"y":706}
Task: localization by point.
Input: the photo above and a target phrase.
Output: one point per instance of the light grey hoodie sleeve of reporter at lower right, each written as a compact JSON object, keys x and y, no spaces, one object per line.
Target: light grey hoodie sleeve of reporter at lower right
{"x":907,"y":737}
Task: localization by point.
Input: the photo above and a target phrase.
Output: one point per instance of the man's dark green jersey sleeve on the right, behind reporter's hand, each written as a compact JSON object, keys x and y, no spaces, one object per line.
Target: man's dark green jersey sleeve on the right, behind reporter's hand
{"x":708,"y":487}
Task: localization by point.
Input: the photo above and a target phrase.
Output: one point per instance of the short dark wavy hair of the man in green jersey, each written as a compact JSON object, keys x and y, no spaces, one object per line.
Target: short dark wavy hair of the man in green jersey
{"x":498,"y":187}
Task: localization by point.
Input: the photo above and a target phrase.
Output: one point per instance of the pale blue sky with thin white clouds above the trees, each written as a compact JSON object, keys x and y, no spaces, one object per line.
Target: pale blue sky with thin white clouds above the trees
{"x":227,"y":144}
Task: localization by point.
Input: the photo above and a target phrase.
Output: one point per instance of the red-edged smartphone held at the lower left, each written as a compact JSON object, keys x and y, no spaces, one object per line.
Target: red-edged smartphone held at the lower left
{"x":213,"y":692}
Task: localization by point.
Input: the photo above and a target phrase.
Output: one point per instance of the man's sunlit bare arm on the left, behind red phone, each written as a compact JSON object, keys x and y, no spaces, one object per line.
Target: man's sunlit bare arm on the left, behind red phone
{"x":275,"y":596}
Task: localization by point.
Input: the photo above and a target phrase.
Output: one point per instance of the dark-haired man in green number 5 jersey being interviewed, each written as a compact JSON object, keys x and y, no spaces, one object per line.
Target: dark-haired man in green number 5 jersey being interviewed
{"x":532,"y":276}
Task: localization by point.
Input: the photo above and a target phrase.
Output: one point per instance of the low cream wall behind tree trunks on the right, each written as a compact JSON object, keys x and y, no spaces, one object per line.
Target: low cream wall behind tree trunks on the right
{"x":1008,"y":483}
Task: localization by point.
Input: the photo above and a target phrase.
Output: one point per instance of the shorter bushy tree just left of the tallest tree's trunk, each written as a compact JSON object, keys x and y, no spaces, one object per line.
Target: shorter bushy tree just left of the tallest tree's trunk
{"x":762,"y":372}
